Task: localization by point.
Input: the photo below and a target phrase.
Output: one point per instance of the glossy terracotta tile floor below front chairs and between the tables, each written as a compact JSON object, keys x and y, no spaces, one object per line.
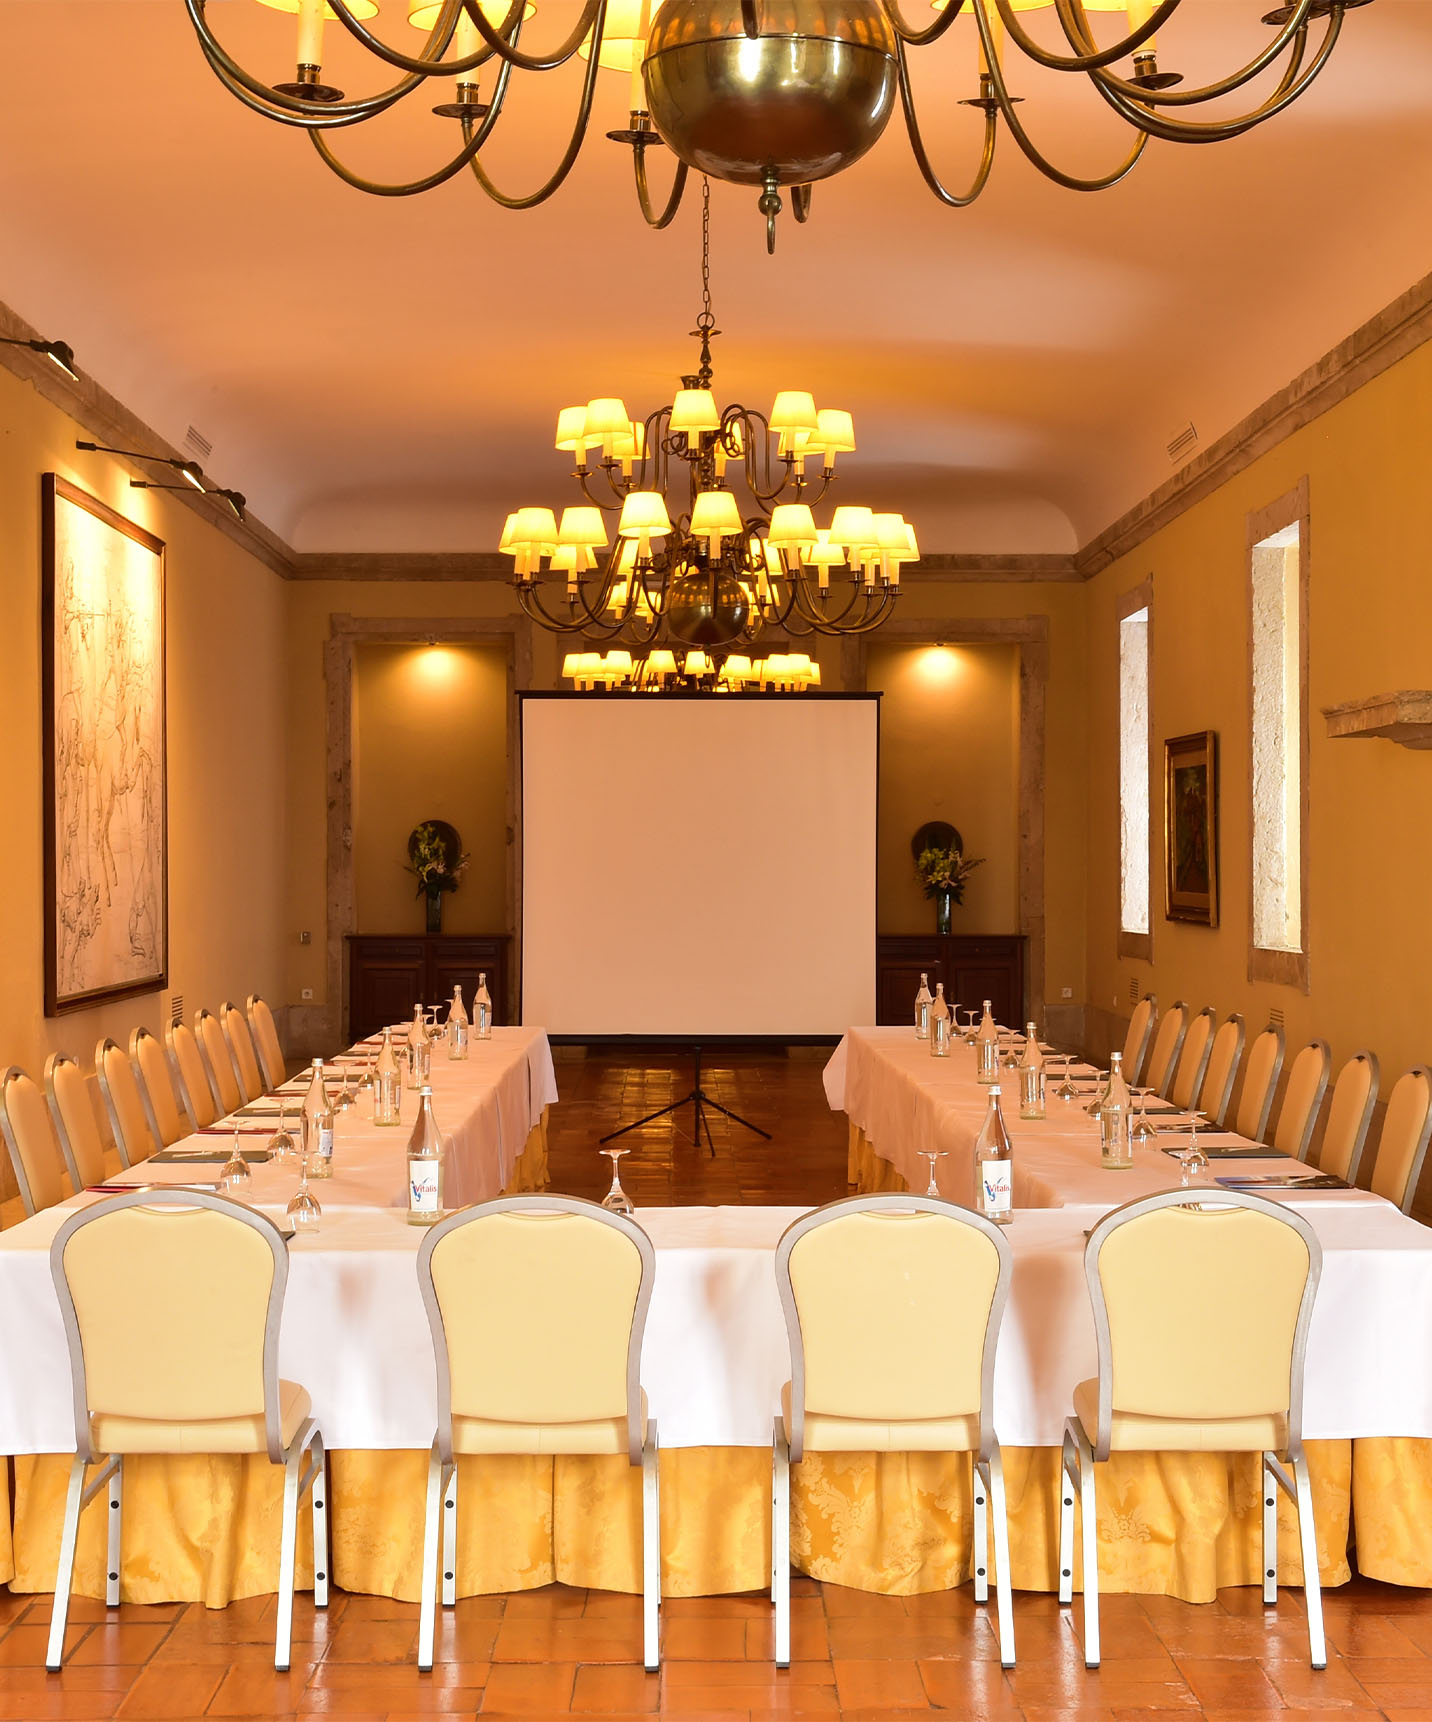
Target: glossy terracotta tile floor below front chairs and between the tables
{"x":860,"y":1657}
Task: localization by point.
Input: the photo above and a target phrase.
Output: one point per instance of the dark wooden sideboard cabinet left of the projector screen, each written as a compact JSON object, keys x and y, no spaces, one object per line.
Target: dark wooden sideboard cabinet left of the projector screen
{"x":388,"y":974}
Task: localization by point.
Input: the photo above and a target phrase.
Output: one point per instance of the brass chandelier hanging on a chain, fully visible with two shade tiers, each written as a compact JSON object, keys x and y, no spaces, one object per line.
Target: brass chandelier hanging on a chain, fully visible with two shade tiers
{"x":691,"y":566}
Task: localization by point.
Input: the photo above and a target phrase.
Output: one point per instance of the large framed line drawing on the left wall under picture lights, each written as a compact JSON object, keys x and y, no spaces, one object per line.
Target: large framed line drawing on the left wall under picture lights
{"x":104,"y":741}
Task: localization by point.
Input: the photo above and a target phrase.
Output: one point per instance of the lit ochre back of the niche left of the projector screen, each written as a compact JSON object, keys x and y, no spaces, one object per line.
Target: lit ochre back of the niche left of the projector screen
{"x":431,"y":743}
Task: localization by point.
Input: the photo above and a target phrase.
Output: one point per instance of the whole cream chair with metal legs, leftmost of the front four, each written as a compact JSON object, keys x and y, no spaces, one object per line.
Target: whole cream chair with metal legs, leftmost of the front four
{"x":201,"y":1380}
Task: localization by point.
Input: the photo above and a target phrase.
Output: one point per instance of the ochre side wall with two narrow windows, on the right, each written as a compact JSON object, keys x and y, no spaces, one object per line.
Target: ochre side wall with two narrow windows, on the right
{"x":1369,"y":802}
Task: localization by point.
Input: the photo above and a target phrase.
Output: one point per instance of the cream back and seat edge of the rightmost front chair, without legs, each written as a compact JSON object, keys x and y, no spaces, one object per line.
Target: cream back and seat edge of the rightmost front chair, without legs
{"x":1249,"y":1267}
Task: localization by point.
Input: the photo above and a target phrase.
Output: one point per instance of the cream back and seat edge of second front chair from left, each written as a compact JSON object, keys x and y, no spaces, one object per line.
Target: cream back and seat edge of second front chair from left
{"x":574,"y":1284}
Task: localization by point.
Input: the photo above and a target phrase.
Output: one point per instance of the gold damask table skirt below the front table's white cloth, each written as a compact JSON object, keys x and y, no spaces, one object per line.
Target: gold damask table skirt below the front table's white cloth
{"x":207,"y":1530}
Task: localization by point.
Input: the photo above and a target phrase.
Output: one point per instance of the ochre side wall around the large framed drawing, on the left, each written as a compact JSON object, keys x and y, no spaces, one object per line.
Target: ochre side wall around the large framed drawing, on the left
{"x":228,"y":721}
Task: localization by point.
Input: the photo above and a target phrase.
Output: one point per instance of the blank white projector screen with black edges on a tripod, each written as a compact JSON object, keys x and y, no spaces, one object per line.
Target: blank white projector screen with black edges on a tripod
{"x":698,"y":865}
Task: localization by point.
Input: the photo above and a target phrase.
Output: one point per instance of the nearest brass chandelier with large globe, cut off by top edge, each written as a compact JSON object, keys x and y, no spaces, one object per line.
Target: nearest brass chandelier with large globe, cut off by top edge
{"x":775,"y":94}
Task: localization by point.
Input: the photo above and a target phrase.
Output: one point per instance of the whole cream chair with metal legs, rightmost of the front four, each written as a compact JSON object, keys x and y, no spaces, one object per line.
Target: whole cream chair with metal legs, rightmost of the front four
{"x":1231,"y":1384}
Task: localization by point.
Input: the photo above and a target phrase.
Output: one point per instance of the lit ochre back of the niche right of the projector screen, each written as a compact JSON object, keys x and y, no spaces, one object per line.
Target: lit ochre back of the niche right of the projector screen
{"x":949,"y":750}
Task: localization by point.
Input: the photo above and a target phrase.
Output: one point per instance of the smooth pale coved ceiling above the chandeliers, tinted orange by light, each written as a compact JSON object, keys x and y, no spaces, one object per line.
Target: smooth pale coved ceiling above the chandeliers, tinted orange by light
{"x":385,"y":375}
